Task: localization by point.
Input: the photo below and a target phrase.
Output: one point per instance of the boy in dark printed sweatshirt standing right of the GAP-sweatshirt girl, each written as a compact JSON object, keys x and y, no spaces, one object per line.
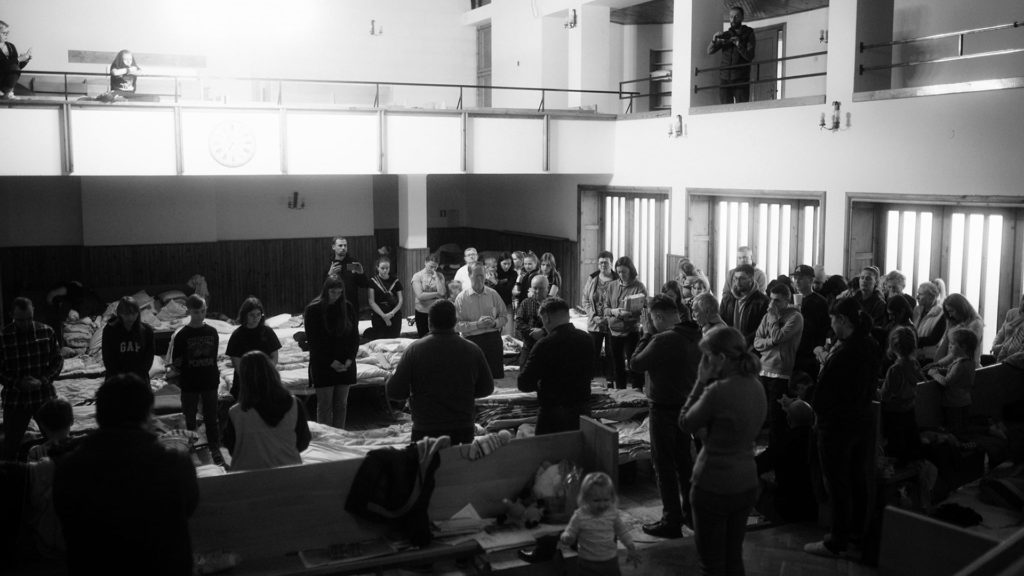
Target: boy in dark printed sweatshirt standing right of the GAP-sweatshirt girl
{"x":195,"y":356}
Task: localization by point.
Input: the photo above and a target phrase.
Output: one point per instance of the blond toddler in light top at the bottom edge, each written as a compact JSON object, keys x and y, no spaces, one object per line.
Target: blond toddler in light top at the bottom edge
{"x":595,"y":526}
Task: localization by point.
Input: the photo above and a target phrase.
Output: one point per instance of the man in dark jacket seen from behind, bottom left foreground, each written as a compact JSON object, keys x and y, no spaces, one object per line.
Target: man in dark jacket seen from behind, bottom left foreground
{"x":123,"y":499}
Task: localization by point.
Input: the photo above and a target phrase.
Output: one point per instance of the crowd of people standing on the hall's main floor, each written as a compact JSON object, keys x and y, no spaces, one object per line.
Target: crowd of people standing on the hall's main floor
{"x":802,"y":357}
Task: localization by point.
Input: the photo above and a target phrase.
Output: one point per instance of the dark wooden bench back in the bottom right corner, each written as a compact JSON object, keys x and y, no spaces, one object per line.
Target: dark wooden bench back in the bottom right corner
{"x":918,"y":546}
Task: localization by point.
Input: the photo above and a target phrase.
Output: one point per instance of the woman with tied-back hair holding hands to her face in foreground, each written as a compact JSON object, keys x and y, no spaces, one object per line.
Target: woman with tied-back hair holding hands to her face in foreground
{"x":726,"y":412}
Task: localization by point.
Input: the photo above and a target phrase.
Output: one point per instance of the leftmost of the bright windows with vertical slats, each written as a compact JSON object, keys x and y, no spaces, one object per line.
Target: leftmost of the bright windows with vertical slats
{"x":637,"y":226}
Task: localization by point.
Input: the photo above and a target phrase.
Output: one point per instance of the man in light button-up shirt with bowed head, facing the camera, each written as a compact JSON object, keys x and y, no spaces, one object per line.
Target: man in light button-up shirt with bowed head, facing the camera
{"x":482,"y":315}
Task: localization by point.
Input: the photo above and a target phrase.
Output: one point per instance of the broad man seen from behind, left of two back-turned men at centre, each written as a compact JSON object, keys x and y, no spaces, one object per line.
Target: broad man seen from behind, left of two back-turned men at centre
{"x":442,"y":375}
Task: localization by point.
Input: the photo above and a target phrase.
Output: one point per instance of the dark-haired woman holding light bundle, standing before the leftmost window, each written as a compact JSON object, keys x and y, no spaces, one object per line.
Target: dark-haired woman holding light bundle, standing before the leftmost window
{"x":624,"y":302}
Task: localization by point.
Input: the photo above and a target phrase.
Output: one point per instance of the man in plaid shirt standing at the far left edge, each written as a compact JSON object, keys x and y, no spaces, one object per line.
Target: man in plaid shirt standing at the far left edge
{"x":30,"y":360}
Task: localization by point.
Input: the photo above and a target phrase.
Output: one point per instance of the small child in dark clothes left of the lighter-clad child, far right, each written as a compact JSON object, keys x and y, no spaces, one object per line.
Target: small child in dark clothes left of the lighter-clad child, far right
{"x":899,"y":395}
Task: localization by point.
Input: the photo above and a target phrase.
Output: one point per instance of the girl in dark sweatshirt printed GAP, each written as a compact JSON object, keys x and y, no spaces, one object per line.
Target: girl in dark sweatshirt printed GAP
{"x":129,"y":345}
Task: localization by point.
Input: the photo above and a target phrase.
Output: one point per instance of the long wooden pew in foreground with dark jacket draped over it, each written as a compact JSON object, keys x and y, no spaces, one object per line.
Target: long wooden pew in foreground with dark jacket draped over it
{"x":268,"y":516}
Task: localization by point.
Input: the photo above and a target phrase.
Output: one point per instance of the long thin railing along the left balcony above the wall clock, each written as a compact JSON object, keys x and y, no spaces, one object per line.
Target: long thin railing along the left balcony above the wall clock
{"x":283,"y":92}
